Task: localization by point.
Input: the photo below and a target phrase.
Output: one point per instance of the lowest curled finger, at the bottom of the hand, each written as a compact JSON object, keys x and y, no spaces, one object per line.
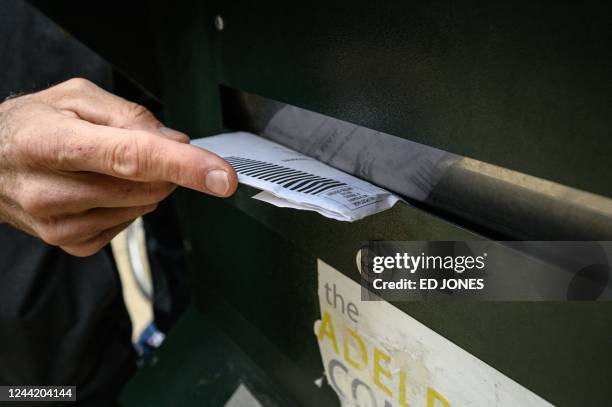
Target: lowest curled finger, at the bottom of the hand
{"x":71,"y":230}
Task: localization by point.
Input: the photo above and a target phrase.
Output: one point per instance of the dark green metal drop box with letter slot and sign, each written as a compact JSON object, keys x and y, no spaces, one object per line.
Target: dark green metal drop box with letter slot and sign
{"x":490,"y":122}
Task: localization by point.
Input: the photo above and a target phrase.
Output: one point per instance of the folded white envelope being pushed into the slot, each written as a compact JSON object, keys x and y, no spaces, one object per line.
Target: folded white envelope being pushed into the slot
{"x":293,"y":180}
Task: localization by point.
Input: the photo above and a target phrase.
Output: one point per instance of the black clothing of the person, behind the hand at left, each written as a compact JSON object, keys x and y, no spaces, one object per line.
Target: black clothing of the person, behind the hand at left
{"x":62,"y":318}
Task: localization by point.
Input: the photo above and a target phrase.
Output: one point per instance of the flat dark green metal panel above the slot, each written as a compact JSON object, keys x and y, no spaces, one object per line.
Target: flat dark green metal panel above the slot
{"x":524,"y":85}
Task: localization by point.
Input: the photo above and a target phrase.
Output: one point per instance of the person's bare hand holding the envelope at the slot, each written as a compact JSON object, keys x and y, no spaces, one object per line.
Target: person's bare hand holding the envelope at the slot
{"x":78,"y":165}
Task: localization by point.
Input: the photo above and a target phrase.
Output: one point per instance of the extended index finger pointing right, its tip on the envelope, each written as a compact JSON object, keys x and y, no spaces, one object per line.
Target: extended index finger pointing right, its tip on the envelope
{"x":140,"y":156}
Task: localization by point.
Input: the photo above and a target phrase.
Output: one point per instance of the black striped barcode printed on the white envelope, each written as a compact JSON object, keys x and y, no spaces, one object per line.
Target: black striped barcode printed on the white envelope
{"x":289,"y":178}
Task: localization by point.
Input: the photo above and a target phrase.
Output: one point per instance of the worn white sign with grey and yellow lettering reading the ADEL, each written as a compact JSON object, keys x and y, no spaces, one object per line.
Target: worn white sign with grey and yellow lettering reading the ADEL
{"x":376,"y":355}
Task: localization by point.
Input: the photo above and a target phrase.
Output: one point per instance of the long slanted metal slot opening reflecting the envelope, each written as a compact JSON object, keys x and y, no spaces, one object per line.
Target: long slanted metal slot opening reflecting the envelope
{"x":497,"y":202}
